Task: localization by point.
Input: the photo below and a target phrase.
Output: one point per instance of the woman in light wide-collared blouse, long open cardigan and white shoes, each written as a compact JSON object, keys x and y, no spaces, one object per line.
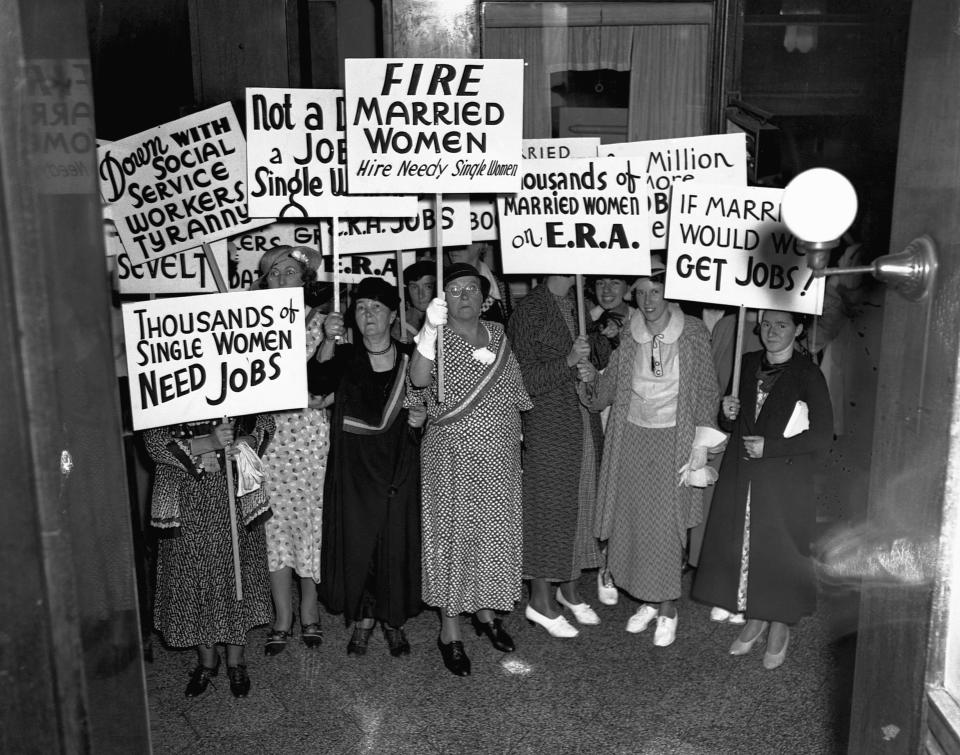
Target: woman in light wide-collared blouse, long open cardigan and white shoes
{"x":662,"y":387}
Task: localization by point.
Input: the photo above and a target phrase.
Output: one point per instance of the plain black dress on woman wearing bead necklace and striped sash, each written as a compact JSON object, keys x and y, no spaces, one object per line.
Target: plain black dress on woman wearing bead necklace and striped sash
{"x":371,"y":495}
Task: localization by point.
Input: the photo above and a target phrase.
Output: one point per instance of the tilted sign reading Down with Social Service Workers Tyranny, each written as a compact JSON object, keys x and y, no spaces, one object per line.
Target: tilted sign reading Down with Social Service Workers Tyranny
{"x":177,"y":185}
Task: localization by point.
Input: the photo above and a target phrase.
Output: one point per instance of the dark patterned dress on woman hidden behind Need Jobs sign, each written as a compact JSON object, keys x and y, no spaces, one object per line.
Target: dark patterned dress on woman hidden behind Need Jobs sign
{"x":195,"y":601}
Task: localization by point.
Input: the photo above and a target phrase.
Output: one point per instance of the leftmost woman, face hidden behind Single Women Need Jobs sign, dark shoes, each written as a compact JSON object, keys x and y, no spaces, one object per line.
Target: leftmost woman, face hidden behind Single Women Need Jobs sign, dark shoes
{"x":196,"y":602}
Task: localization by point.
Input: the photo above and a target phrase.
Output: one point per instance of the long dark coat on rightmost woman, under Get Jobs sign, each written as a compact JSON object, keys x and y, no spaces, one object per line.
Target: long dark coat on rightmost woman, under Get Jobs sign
{"x":780,"y":584}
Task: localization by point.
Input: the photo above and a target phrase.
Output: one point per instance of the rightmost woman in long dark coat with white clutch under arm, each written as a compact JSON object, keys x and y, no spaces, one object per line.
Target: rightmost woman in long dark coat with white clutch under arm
{"x":756,"y":550}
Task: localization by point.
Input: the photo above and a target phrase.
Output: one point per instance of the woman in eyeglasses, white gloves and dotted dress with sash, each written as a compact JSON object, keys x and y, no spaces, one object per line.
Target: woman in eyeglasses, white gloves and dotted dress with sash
{"x":470,"y":461}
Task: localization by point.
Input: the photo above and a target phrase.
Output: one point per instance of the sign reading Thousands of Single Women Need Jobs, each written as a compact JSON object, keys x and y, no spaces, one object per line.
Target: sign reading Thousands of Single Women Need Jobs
{"x":199,"y":357}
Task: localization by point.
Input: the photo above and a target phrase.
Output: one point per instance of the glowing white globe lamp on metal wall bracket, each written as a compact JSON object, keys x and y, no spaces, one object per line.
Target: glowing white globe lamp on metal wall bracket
{"x":818,"y":207}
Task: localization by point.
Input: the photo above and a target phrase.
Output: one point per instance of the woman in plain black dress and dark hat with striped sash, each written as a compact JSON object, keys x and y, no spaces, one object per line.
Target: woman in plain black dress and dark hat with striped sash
{"x":371,"y":517}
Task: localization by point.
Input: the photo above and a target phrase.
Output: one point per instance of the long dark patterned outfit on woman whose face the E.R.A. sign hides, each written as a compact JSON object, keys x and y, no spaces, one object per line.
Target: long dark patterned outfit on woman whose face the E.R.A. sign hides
{"x":553,"y":440}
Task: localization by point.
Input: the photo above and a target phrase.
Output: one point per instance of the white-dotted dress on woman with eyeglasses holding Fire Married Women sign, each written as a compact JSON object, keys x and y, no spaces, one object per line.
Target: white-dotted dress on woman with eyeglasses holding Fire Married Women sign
{"x":471,"y":512}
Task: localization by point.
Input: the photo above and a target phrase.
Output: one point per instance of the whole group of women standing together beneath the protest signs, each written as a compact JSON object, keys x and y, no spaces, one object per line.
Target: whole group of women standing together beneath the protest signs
{"x":446,"y":461}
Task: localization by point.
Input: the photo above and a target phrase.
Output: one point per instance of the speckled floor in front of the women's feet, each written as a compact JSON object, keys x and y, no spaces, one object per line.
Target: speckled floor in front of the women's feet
{"x":605,"y":691}
